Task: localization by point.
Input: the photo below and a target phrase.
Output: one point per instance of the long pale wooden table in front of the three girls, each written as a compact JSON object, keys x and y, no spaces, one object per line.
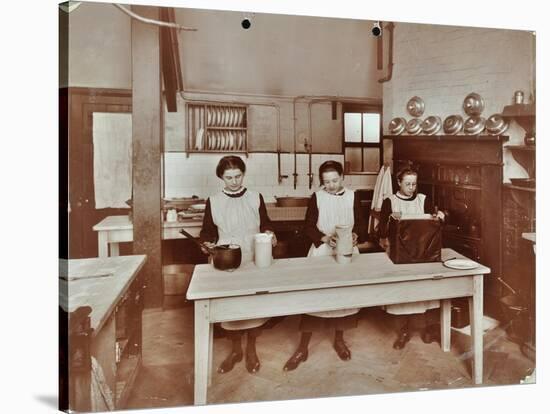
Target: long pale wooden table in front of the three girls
{"x":303,"y":285}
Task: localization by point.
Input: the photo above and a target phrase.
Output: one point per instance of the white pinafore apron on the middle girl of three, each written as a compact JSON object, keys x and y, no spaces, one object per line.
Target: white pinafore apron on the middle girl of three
{"x":333,"y":210}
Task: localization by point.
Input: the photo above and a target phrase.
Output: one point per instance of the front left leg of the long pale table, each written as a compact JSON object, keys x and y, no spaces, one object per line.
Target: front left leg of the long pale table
{"x":203,"y":329}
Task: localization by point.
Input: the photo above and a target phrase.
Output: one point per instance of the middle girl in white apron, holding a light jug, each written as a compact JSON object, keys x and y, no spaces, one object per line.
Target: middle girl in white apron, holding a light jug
{"x":330,"y":206}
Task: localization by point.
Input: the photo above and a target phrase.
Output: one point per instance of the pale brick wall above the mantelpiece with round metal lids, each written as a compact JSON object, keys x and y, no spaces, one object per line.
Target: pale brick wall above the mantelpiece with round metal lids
{"x":443,"y":64}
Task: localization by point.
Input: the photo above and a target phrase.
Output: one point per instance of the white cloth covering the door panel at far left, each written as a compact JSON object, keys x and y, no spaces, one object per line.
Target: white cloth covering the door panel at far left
{"x":112,"y":140}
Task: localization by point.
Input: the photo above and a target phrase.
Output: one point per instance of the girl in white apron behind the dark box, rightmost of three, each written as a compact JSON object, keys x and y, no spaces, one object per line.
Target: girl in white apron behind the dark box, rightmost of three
{"x":408,"y":201}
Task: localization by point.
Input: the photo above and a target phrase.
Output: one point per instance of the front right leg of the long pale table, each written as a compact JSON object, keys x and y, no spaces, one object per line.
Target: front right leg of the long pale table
{"x":476,"y":328}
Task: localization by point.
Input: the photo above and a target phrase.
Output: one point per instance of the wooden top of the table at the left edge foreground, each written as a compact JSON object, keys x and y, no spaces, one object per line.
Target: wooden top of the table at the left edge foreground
{"x":101,"y":293}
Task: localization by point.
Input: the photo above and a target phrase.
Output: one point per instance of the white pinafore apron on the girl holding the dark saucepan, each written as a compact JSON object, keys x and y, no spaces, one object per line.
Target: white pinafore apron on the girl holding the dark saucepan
{"x":238,"y":220}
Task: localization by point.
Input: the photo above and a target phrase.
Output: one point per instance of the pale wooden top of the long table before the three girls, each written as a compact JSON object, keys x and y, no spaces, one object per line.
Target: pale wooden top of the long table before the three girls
{"x":305,"y":273}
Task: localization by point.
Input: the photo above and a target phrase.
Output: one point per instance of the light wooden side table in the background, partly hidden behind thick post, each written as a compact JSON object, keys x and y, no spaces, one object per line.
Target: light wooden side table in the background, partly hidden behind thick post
{"x":117,"y":229}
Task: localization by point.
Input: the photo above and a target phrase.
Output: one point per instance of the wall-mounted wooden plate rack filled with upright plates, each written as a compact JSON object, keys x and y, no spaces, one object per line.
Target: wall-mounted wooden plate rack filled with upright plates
{"x":217,"y":128}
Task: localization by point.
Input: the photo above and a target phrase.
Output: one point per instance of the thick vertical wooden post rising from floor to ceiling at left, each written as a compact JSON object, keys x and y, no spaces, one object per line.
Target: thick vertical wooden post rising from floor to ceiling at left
{"x":147,"y":124}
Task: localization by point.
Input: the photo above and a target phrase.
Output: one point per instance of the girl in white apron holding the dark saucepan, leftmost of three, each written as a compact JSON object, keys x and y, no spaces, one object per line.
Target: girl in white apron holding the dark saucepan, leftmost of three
{"x":234,"y":216}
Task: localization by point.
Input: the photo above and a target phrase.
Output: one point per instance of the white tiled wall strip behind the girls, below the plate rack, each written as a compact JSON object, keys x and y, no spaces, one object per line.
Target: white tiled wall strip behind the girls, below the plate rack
{"x":195,"y":175}
